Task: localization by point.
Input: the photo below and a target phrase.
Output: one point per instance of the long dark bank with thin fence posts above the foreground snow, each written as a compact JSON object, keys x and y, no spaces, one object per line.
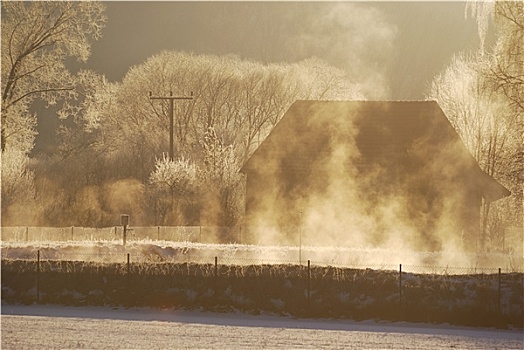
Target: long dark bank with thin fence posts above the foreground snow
{"x":214,"y":282}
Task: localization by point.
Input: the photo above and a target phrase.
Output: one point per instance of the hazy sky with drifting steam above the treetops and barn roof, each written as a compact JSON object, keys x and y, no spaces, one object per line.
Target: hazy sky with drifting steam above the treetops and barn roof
{"x":393,"y":47}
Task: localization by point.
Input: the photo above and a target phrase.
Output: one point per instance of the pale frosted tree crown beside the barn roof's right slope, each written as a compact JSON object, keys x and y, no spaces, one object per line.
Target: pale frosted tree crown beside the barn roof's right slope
{"x":478,"y":115}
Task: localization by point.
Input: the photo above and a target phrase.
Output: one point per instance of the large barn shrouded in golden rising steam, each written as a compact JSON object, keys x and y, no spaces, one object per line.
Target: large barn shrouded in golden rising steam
{"x":364,"y":171}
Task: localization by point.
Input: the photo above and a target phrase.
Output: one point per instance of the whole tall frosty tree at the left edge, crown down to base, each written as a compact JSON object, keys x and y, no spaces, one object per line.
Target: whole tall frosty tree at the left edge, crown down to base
{"x":38,"y":39}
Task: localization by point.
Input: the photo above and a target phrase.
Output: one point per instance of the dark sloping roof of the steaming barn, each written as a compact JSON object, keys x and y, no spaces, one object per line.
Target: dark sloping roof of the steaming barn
{"x":382,"y":129}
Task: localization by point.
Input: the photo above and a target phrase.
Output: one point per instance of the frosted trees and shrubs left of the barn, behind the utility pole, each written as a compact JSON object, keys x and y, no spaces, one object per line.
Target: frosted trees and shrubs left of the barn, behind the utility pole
{"x":114,"y":159}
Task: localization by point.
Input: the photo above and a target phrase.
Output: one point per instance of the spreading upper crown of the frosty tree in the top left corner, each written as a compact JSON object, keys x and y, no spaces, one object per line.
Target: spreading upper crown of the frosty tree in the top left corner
{"x":37,"y":38}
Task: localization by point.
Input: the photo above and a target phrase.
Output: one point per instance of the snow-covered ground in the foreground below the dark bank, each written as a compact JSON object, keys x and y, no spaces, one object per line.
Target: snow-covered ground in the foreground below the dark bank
{"x":51,"y":327}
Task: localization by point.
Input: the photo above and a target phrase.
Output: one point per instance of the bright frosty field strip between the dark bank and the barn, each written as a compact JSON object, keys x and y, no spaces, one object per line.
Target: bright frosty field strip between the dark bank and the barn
{"x":238,"y":254}
